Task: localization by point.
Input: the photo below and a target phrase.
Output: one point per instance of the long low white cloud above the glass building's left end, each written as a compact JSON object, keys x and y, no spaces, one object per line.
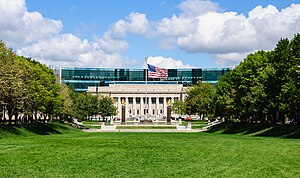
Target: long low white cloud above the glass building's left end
{"x":69,"y":50}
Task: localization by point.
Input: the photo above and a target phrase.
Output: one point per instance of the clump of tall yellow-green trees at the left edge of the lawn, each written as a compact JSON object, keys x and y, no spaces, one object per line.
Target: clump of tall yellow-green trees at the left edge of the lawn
{"x":27,"y":87}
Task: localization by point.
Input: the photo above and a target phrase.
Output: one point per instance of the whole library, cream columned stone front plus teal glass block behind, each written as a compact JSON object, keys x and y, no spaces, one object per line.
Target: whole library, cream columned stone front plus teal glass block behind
{"x":142,"y":91}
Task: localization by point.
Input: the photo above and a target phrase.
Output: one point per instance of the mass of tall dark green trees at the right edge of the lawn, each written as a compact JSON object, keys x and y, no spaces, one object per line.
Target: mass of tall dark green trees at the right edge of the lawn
{"x":264,"y":87}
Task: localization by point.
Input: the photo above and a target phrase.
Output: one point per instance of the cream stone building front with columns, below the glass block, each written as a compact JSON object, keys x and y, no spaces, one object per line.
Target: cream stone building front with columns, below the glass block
{"x":134,"y":97}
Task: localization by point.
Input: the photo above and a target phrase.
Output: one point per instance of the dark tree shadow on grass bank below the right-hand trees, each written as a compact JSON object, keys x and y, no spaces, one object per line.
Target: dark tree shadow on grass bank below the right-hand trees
{"x":267,"y":130}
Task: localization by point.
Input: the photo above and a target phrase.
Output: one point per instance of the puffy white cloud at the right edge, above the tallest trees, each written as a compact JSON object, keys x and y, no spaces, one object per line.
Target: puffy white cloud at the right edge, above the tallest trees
{"x":271,"y":24}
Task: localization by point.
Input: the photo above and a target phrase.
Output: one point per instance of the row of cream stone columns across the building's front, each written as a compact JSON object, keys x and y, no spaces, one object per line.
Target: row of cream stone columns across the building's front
{"x":143,"y":105}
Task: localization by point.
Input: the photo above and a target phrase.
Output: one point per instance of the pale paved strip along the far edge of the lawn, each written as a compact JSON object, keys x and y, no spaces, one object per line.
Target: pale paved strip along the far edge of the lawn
{"x":143,"y":130}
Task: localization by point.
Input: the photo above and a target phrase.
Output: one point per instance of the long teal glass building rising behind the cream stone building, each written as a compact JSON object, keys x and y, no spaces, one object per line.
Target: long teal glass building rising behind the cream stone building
{"x":81,"y":78}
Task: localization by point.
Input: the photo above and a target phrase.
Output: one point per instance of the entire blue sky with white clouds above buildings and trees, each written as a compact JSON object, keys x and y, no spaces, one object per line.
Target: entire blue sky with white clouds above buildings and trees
{"x":121,"y":33}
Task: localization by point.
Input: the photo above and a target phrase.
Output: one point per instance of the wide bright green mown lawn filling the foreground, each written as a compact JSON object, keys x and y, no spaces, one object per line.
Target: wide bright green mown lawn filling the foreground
{"x":60,"y":151}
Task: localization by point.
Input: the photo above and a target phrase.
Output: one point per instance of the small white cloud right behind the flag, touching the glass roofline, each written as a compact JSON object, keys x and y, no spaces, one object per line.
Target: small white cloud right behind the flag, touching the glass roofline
{"x":166,"y":62}
